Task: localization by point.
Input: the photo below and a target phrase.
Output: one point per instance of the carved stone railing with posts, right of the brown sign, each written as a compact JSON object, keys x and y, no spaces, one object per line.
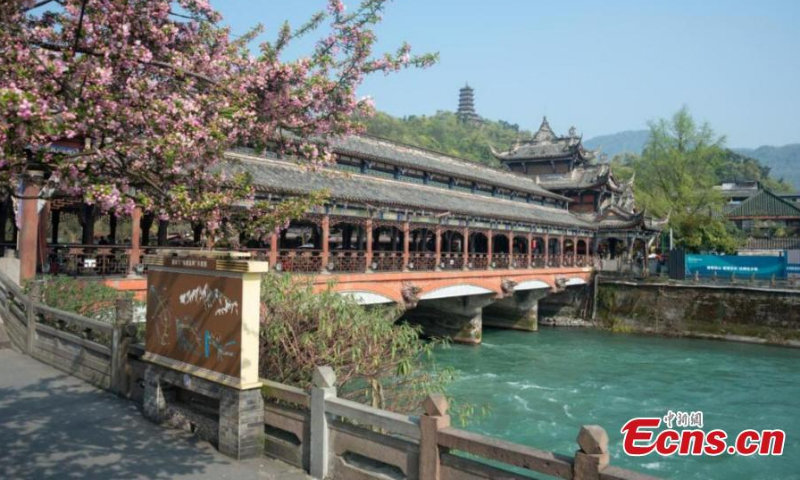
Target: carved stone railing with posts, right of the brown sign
{"x":336,"y":438}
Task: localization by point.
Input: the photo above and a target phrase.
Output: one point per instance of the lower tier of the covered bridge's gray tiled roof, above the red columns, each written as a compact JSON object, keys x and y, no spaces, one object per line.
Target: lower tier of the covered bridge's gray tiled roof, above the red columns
{"x":286,"y":177}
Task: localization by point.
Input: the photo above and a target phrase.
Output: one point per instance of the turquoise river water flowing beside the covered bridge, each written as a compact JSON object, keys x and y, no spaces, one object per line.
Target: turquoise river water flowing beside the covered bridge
{"x":542,"y":386}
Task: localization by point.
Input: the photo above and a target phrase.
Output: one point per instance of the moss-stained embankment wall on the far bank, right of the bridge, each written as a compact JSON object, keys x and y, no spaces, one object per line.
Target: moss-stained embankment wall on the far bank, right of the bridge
{"x":728,"y":312}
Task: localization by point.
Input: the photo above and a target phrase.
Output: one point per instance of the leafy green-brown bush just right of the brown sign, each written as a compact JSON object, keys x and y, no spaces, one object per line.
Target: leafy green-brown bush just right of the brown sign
{"x":377,"y":361}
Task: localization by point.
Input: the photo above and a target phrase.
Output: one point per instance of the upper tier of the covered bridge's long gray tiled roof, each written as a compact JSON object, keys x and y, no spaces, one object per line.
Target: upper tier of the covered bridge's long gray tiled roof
{"x":364,"y":146}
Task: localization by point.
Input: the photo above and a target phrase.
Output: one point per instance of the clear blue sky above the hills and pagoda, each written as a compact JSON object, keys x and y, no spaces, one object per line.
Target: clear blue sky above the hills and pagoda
{"x":603,"y":66}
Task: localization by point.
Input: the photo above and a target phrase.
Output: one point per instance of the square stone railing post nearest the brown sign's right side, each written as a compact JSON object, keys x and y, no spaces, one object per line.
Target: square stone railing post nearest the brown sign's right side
{"x":324,"y":388}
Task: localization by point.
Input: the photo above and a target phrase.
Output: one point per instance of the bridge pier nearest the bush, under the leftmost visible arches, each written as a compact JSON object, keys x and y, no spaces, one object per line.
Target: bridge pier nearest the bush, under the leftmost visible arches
{"x":458,"y":318}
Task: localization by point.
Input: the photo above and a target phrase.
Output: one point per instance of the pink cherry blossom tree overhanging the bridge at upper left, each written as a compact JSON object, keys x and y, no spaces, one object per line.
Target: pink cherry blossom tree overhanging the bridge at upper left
{"x":153,"y":92}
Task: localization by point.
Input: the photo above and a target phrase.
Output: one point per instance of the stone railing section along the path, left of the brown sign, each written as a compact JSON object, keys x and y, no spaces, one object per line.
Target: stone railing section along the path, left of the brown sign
{"x":90,"y":349}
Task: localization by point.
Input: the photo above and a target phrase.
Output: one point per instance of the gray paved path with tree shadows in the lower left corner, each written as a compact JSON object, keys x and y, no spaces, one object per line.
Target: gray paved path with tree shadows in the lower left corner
{"x":56,"y":426}
